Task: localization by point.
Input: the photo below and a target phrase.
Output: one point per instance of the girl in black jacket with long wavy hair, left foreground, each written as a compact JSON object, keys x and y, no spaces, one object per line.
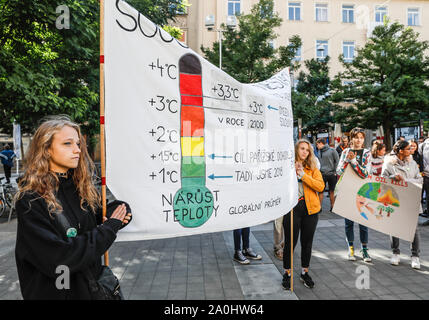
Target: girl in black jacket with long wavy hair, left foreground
{"x":60,"y":229}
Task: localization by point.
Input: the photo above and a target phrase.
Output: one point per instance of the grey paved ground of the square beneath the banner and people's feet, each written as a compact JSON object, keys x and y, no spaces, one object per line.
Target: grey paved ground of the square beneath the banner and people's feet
{"x":200,"y":267}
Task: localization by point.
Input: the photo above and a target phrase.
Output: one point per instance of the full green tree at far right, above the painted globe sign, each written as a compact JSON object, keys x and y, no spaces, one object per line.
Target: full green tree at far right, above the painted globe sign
{"x":386,"y":83}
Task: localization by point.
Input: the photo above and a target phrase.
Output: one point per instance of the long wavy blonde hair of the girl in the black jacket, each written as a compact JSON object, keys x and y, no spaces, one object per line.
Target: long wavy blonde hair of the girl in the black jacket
{"x":38,"y":178}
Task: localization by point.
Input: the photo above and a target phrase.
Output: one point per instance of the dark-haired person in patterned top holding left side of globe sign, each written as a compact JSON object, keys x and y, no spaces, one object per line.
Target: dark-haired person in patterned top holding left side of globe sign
{"x":357,"y":157}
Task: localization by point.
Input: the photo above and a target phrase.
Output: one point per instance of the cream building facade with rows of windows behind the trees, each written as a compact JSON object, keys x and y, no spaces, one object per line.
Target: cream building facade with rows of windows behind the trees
{"x":326,"y":27}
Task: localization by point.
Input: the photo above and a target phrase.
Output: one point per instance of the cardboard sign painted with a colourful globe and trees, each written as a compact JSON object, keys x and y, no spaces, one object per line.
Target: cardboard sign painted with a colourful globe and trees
{"x":379,"y":203}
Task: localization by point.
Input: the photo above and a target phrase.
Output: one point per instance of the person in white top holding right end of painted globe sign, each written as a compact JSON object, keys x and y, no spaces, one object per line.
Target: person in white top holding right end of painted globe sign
{"x":402,"y":167}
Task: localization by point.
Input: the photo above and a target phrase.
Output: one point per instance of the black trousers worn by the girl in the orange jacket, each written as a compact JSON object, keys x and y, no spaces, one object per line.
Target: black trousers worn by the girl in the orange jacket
{"x":306,"y":225}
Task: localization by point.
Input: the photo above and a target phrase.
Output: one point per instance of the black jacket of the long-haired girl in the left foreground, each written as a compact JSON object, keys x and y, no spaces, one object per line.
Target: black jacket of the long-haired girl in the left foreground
{"x":42,"y":245}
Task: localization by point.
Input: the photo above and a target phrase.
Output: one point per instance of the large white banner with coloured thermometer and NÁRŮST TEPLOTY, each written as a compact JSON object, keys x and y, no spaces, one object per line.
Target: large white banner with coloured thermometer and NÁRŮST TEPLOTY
{"x":188,"y":147}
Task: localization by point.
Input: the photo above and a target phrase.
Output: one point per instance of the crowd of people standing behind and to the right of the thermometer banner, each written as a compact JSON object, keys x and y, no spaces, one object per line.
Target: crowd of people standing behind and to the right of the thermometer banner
{"x":318,"y":169}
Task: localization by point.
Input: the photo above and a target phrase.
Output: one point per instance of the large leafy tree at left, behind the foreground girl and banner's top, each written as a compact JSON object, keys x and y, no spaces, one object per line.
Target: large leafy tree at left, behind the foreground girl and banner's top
{"x":47,"y":71}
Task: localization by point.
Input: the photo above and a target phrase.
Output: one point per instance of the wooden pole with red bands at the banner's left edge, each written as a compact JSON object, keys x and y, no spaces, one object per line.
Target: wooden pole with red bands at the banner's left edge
{"x":102,"y":138}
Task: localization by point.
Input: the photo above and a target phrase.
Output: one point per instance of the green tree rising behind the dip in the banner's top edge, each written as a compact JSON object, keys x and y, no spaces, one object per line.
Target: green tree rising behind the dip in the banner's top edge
{"x":247,"y":51}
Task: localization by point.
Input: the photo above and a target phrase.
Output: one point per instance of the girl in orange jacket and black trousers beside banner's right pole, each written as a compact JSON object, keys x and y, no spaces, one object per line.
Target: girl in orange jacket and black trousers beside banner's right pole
{"x":305,"y":213}
